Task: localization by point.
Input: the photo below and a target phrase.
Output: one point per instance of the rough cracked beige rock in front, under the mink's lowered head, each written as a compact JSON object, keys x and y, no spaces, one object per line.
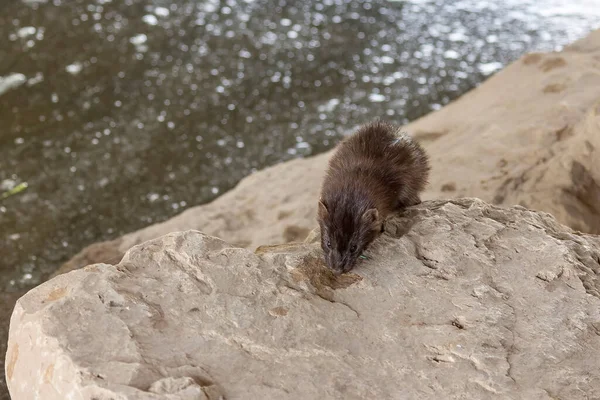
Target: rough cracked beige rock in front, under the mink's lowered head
{"x":459,"y":300}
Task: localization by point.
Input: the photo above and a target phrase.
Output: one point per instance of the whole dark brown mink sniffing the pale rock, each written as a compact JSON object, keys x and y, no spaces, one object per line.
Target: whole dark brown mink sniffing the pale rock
{"x":376,"y":171}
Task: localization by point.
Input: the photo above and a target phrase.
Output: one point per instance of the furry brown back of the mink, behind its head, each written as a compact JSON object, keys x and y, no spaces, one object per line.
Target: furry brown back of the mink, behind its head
{"x":378,"y":162}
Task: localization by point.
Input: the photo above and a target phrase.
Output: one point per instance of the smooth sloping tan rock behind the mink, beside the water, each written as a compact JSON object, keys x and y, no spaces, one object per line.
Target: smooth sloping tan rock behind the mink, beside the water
{"x":529,"y":135}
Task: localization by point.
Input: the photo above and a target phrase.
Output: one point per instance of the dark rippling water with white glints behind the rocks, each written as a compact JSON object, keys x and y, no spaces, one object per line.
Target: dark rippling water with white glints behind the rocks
{"x":119,"y":114}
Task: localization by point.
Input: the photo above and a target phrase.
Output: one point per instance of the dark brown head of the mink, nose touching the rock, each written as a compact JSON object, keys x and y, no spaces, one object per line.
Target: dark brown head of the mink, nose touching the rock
{"x":346,"y":232}
